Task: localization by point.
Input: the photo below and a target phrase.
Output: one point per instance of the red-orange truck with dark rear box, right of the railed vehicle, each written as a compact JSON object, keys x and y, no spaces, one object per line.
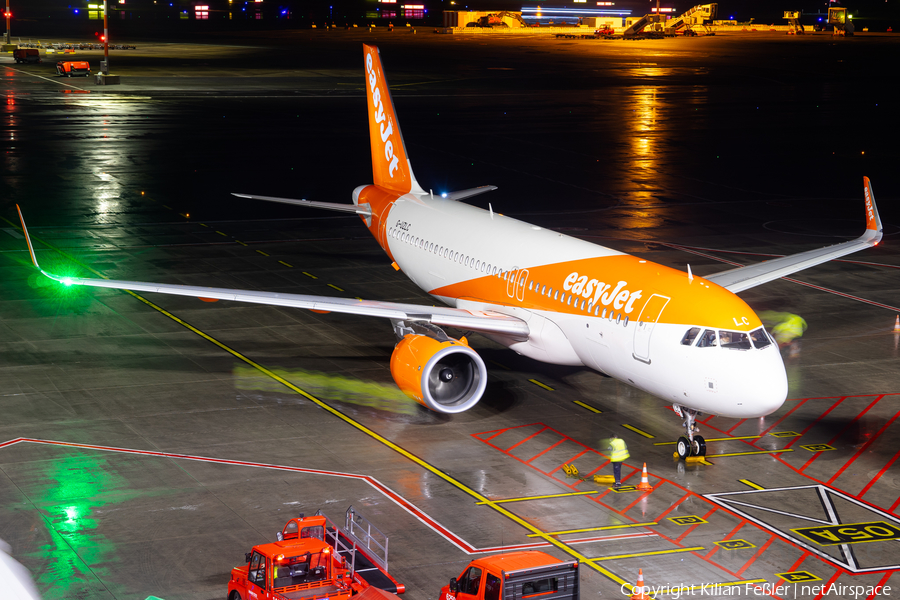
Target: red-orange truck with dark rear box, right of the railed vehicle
{"x":528,"y":574}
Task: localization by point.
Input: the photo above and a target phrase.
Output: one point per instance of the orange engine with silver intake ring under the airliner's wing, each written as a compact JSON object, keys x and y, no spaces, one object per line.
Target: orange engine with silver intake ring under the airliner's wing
{"x":447,"y":377}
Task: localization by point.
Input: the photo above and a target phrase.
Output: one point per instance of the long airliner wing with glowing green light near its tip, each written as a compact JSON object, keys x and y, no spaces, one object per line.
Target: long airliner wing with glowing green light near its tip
{"x":481,"y":321}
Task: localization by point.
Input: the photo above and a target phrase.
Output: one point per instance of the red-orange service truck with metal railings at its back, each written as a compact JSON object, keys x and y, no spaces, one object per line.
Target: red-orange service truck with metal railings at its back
{"x":313,"y":558}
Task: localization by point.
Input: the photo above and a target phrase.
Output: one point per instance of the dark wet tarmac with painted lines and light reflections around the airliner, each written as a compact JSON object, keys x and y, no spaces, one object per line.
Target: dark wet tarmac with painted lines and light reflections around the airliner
{"x":148,"y":441}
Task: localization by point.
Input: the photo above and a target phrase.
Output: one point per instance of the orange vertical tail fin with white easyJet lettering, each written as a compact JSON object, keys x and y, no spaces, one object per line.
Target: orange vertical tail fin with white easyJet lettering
{"x":390,"y":163}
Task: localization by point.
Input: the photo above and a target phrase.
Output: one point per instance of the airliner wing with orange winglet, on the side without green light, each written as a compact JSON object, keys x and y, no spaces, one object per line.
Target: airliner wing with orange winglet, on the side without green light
{"x":744,"y":278}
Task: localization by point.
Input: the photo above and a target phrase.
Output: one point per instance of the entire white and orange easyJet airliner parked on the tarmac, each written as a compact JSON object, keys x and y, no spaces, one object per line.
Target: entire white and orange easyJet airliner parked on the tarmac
{"x":685,"y":339}
